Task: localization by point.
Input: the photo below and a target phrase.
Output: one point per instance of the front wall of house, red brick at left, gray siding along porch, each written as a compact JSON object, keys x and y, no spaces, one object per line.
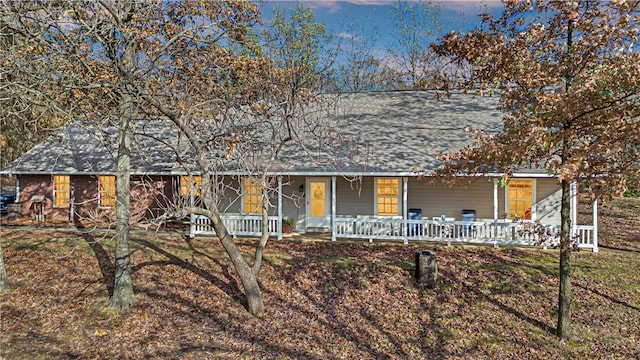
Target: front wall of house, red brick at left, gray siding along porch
{"x":152,"y":195}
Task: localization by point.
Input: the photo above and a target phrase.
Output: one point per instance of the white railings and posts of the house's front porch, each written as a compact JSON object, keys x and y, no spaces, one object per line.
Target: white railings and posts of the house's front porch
{"x":406,"y":227}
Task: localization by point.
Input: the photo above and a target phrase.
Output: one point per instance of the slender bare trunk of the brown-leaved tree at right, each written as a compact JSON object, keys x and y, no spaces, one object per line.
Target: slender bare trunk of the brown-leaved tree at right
{"x":564,"y":294}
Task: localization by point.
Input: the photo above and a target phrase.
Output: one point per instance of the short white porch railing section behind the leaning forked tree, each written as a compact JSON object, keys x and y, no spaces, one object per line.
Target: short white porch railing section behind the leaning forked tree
{"x":237,"y":225}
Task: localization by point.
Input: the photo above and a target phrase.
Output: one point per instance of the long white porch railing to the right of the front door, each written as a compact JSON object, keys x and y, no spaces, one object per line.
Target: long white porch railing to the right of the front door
{"x":495,"y":233}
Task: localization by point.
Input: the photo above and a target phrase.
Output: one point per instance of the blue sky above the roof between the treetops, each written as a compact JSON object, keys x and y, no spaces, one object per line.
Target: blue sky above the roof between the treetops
{"x":372,"y":16}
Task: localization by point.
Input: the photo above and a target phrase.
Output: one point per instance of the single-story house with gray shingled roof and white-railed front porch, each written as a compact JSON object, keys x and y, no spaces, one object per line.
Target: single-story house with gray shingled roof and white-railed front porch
{"x":360,"y":184}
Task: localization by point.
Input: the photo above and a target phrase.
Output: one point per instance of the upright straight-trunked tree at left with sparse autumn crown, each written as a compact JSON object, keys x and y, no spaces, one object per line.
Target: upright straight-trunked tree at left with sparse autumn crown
{"x":107,"y":59}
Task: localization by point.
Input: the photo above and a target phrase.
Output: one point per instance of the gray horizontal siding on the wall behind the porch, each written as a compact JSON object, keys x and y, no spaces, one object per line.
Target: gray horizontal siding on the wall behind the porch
{"x":355,"y":198}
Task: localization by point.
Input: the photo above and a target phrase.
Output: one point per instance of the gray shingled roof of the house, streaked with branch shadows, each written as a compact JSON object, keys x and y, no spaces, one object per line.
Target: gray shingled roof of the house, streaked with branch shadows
{"x":375,"y":132}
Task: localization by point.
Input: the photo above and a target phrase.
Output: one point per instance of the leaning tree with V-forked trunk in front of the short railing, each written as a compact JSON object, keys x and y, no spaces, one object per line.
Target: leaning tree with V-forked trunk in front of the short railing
{"x":245,"y":128}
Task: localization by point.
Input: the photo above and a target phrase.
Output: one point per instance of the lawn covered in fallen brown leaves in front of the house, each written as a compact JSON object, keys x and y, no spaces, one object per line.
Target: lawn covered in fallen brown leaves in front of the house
{"x":324,"y":300}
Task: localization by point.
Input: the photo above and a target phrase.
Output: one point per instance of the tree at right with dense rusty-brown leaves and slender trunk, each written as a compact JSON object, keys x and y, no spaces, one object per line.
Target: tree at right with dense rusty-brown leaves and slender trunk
{"x":569,"y":82}
